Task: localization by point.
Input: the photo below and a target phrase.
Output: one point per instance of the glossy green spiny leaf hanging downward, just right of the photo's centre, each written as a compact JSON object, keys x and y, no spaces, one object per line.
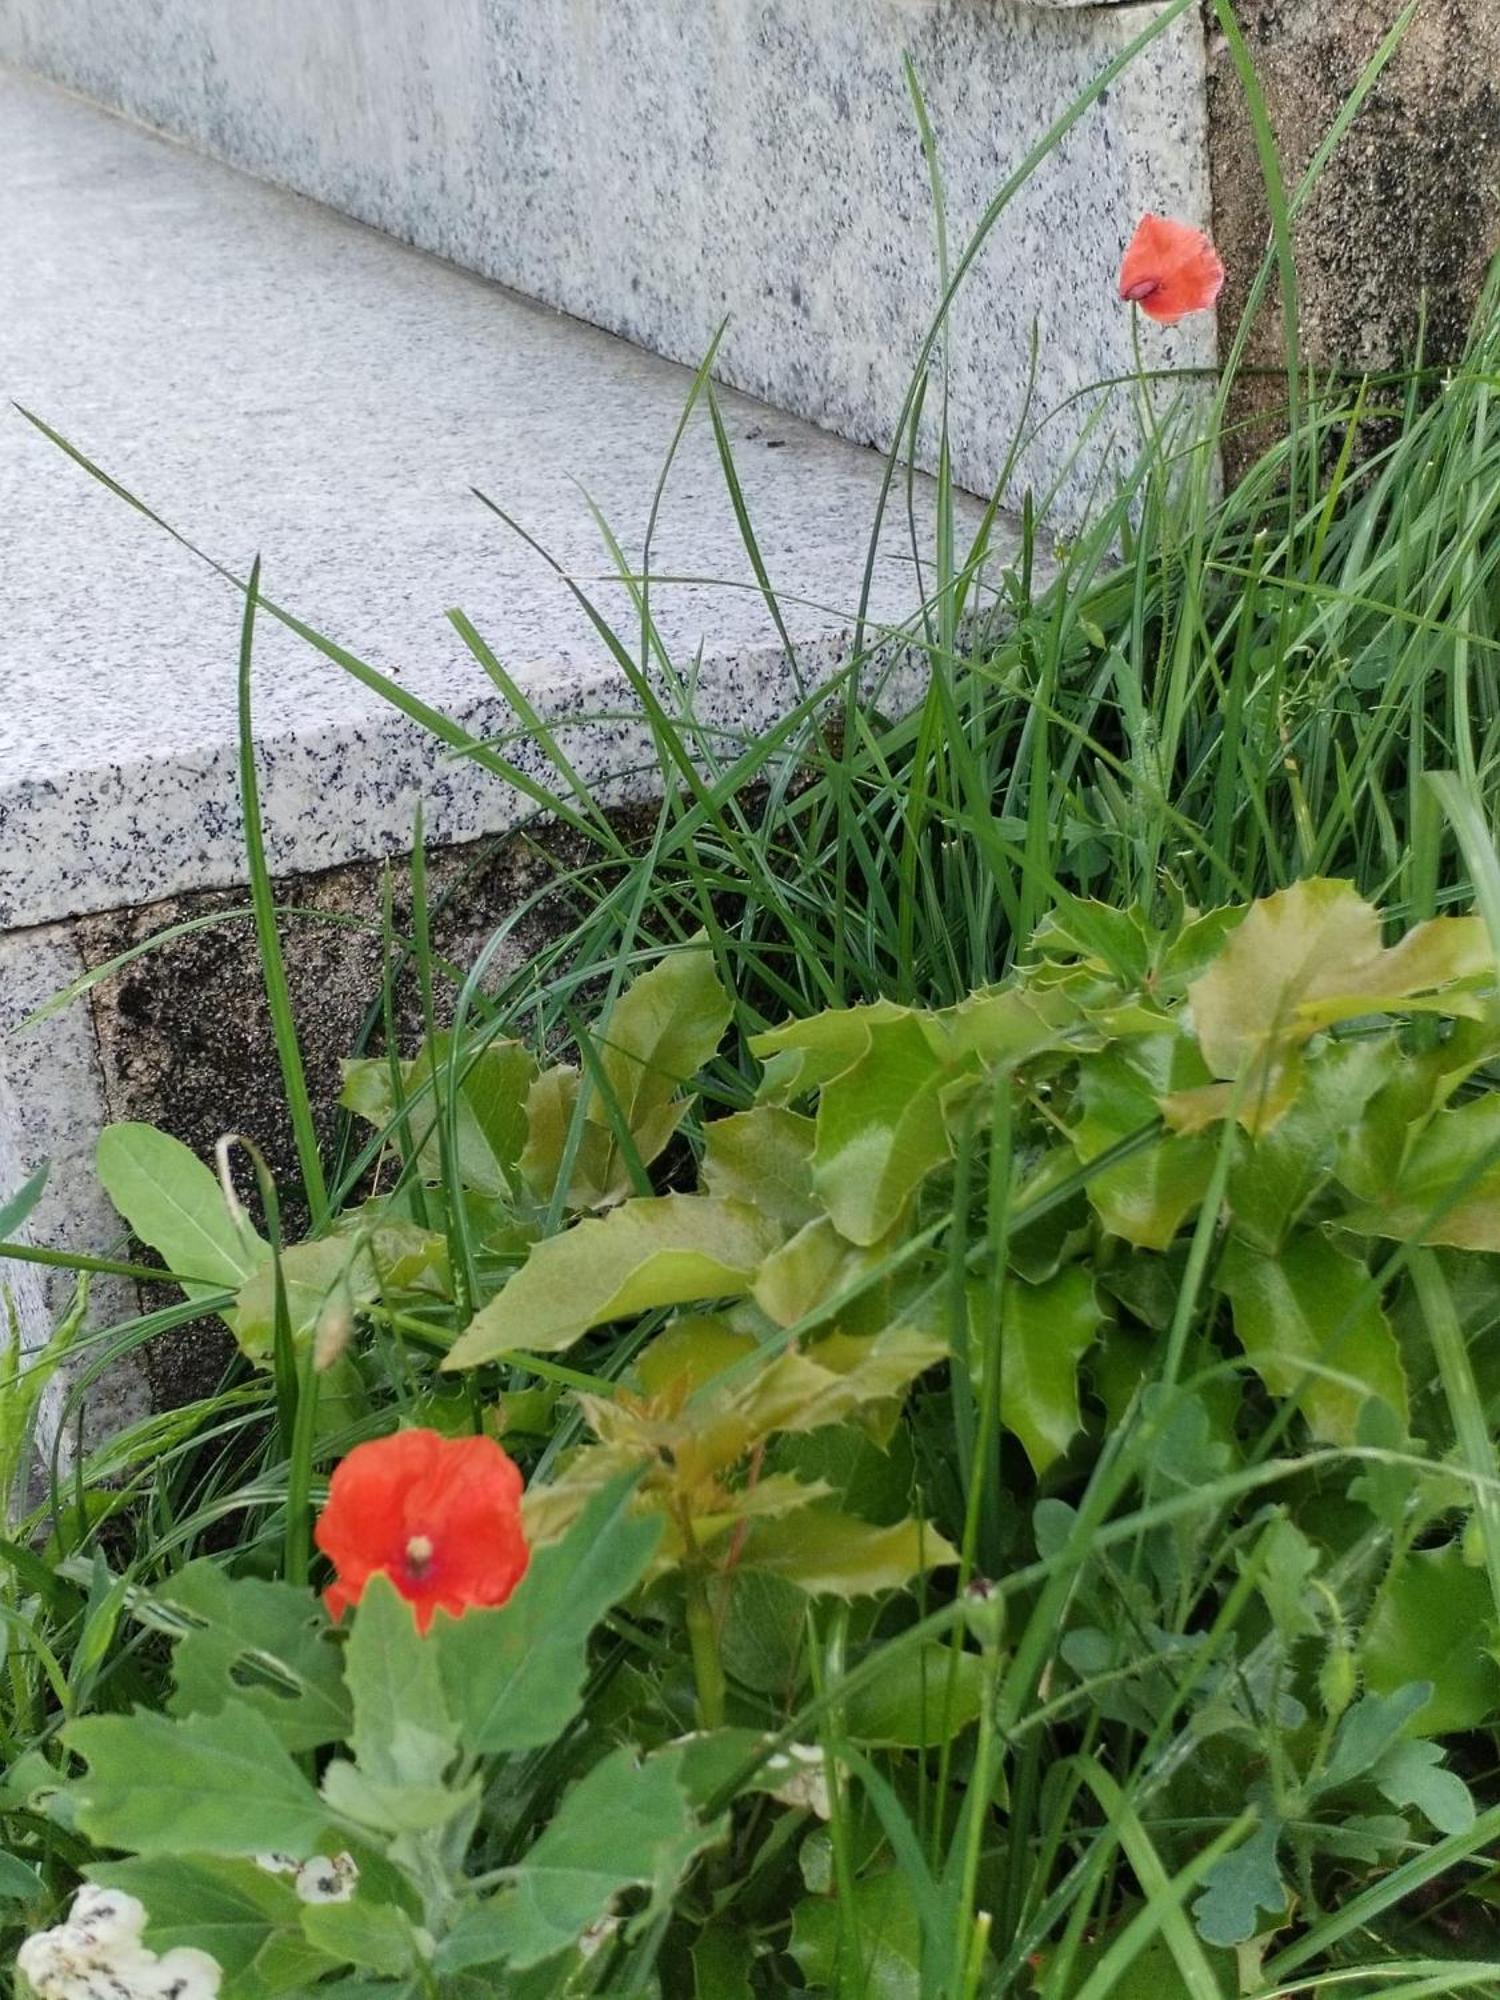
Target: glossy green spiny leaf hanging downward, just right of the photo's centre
{"x":883,"y":1129}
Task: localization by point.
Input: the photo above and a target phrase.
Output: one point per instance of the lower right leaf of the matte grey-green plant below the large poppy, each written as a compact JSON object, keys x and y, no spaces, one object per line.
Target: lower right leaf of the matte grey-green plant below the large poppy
{"x":623,"y":1827}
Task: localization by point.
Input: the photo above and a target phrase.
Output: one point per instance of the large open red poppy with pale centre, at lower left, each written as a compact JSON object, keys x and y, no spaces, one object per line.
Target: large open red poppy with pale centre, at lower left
{"x":439,"y":1517}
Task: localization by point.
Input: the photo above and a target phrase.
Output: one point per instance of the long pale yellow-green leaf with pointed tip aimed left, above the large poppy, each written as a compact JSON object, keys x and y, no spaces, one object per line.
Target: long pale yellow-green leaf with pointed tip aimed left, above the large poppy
{"x":665,"y":1251}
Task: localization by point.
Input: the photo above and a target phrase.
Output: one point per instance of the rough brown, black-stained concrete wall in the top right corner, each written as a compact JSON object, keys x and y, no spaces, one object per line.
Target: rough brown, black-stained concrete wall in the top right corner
{"x":1409,"y":205}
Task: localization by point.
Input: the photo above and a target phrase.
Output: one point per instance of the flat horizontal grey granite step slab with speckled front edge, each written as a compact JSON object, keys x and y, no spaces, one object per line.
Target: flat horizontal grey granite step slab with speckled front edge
{"x":277,"y":379}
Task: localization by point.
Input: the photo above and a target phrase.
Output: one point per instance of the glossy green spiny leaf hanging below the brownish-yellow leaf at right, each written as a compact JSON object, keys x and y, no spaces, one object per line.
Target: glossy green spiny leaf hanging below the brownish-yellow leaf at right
{"x":1313,"y":1323}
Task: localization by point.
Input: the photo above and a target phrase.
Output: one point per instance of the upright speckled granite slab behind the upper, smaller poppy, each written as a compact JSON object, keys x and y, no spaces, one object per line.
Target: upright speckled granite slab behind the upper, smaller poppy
{"x":657,"y":165}
